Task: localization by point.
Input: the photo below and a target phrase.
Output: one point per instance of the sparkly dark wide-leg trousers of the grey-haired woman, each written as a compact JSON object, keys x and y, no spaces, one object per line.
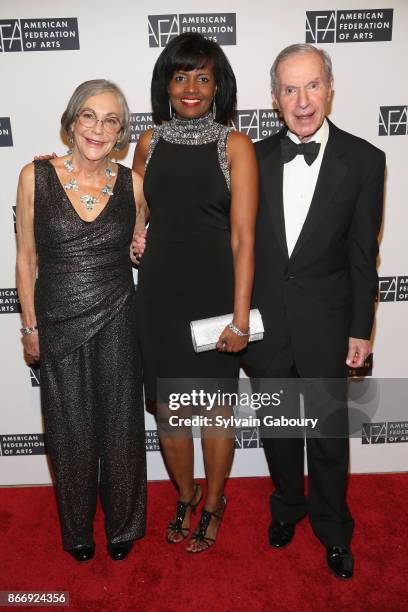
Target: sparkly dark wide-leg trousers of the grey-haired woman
{"x":94,"y":424}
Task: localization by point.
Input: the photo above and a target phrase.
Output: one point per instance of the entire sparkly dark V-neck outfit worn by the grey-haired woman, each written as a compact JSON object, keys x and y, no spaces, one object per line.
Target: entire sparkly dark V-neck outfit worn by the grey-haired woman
{"x":91,"y":387}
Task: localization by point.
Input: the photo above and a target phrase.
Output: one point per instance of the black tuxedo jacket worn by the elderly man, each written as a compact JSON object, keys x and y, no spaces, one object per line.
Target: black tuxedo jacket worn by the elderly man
{"x":325,"y":291}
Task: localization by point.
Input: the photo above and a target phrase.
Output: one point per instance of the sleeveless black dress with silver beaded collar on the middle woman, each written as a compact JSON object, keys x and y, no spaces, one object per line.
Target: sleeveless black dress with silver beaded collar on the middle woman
{"x":186,"y":272}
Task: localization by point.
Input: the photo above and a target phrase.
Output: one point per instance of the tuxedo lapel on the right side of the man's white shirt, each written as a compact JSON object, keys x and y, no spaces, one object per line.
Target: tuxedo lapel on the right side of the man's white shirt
{"x":331,"y":174}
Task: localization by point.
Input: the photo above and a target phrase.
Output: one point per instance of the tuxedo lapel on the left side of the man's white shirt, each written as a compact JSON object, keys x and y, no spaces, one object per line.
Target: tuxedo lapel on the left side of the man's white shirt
{"x":271,"y":171}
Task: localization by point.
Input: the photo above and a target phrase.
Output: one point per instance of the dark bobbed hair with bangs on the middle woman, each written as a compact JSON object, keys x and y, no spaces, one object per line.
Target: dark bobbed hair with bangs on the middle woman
{"x":190,"y":51}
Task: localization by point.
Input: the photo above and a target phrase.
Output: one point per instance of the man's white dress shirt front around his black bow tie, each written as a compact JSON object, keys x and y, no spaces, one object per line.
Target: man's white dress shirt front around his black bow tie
{"x":299,"y":182}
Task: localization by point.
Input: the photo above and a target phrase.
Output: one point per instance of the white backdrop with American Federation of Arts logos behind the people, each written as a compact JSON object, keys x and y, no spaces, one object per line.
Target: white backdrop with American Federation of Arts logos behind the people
{"x":47,"y":48}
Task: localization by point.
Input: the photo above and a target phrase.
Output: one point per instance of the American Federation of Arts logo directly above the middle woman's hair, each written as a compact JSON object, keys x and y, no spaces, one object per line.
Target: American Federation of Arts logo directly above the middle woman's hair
{"x":220,"y":27}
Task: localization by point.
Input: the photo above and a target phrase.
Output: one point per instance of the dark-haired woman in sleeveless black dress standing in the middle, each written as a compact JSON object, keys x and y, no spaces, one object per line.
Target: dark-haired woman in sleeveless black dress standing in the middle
{"x":200,"y":186}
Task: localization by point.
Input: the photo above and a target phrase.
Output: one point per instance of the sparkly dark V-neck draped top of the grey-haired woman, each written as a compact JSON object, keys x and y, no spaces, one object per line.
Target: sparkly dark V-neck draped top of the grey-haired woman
{"x":84,"y":269}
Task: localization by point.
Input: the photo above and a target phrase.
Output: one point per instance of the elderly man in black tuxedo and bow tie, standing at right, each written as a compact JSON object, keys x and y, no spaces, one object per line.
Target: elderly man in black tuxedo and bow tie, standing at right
{"x":321,"y":192}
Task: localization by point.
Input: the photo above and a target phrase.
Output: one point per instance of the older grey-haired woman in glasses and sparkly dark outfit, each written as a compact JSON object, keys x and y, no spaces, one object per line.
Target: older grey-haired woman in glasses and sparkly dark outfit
{"x":77,"y":215}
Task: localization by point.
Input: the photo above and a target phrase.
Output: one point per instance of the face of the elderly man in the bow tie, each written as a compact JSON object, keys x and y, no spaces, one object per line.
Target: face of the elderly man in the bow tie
{"x":303,"y":93}
